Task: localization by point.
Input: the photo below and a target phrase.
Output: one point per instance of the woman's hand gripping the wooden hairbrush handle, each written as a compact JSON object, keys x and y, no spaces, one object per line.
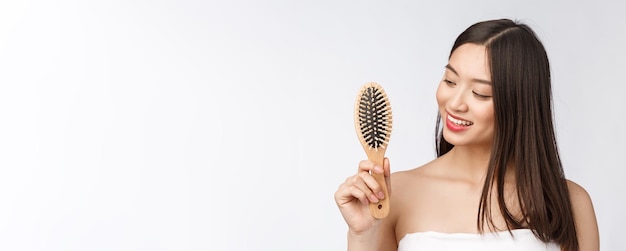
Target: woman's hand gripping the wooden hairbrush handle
{"x":355,"y":194}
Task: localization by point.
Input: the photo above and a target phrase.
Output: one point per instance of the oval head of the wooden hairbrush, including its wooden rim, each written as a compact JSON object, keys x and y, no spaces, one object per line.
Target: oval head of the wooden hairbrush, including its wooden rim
{"x":373,"y":118}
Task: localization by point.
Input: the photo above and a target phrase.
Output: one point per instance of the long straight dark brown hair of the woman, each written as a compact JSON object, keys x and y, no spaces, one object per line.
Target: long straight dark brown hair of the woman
{"x":524,"y":133}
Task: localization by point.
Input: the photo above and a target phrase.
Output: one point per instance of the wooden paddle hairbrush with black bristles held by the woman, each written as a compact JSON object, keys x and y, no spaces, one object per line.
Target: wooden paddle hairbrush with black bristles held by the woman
{"x":372,"y":121}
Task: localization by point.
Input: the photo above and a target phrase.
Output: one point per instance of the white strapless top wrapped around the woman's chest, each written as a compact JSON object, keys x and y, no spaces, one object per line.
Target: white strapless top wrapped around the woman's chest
{"x":523,"y":240}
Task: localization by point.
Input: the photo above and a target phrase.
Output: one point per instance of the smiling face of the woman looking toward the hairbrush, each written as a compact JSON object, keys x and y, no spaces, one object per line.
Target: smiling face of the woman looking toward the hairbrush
{"x":465,"y":98}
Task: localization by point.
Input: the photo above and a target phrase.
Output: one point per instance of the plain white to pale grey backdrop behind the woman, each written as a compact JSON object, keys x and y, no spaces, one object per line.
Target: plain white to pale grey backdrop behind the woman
{"x":205,"y":125}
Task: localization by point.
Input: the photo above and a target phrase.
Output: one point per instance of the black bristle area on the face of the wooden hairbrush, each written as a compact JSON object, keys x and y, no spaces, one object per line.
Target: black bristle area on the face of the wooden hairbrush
{"x":374,"y":117}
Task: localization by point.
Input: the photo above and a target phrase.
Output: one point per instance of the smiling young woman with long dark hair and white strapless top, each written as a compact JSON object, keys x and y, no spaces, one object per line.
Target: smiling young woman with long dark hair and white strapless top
{"x":497,"y":183}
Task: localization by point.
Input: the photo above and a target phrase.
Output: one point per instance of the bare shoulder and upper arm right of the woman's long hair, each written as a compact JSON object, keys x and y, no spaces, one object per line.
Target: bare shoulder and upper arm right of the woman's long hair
{"x":584,"y":217}
